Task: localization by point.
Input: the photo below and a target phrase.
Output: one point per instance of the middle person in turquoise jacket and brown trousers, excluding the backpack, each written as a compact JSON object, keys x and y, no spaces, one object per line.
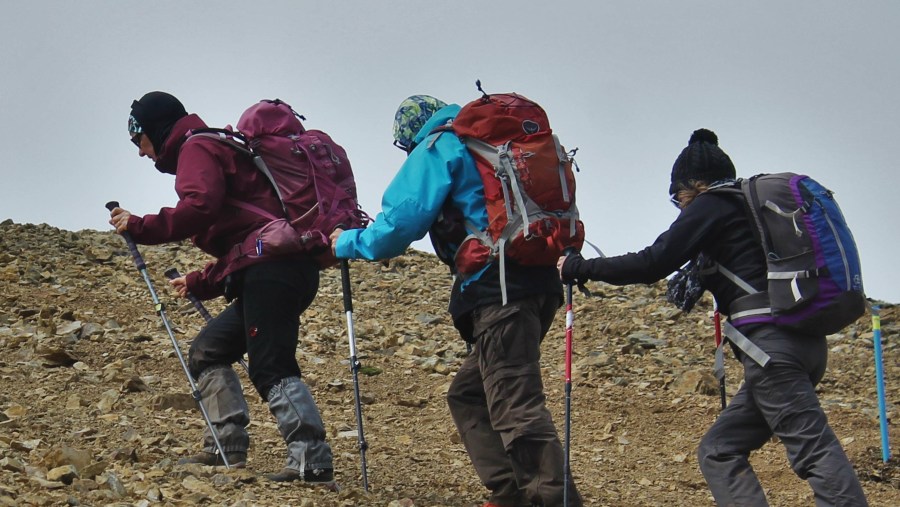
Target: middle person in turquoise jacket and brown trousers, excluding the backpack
{"x":497,"y":398}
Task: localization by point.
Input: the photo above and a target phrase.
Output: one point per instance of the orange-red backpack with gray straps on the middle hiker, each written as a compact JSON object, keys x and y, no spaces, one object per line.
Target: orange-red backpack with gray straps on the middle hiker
{"x":529,"y":185}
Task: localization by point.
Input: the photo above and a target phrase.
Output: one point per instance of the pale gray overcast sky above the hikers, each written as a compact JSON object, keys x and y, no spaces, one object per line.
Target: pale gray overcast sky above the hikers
{"x":805,"y":86}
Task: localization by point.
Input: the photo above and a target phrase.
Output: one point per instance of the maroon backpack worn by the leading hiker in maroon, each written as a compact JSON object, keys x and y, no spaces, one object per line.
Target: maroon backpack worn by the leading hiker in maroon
{"x":311,"y":176}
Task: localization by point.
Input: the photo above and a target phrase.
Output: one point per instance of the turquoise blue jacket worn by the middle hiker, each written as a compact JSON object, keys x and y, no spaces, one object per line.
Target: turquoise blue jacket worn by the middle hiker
{"x":438,"y":168}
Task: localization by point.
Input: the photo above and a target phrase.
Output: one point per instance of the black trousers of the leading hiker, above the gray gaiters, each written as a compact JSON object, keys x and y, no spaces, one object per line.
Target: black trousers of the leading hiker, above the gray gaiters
{"x":263,"y":321}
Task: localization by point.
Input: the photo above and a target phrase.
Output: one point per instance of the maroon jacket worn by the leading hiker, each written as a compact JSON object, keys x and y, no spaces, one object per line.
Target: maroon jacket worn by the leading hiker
{"x":207,"y":172}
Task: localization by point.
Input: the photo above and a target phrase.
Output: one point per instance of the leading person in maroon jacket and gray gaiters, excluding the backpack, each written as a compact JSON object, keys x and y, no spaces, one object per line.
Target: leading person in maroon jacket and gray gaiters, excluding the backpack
{"x":267,"y":294}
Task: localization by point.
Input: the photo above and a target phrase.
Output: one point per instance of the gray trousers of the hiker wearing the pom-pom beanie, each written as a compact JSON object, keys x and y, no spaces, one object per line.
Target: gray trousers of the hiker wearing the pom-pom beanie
{"x":779,"y":399}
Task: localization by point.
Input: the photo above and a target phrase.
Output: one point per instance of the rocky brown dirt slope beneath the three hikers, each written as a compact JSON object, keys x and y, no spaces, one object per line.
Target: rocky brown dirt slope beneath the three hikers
{"x":95,"y":408}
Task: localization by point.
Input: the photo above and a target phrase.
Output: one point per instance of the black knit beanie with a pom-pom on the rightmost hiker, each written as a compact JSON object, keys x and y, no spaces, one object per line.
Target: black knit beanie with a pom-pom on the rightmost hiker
{"x":701,"y":160}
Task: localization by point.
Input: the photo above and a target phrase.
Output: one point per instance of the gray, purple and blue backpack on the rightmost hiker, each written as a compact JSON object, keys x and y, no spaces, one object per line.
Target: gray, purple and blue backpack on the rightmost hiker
{"x":814,"y":276}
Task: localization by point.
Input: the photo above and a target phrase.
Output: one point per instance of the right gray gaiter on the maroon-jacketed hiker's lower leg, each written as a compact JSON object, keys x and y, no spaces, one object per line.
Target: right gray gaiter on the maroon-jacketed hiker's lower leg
{"x":300,"y":425}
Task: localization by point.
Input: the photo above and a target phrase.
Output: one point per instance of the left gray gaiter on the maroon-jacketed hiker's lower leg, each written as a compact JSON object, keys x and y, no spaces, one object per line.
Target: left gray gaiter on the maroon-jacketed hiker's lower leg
{"x":224,"y":400}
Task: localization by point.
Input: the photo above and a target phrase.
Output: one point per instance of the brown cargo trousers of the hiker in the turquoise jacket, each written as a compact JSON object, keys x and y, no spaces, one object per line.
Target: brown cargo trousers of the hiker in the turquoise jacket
{"x":497,"y":402}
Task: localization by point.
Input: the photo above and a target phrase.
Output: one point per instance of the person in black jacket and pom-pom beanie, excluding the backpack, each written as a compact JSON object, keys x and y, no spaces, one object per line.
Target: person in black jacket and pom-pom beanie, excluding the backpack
{"x":779,"y":398}
